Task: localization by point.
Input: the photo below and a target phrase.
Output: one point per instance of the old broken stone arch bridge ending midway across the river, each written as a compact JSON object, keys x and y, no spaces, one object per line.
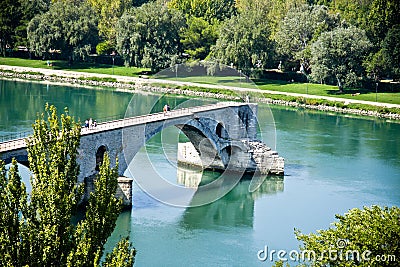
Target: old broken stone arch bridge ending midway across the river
{"x":224,"y":135}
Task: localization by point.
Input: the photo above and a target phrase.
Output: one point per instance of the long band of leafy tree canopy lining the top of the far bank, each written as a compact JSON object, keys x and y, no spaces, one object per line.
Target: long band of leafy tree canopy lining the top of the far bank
{"x":156,"y":34}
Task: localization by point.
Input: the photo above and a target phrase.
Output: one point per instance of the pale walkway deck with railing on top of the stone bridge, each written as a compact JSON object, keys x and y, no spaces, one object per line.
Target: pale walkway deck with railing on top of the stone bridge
{"x":115,"y":124}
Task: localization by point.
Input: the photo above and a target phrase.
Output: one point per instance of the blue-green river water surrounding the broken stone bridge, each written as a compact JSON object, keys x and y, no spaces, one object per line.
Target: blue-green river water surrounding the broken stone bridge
{"x":332,"y":163}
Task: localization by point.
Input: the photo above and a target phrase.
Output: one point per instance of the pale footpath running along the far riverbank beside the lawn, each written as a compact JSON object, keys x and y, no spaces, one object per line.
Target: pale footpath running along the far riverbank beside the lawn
{"x":136,"y":80}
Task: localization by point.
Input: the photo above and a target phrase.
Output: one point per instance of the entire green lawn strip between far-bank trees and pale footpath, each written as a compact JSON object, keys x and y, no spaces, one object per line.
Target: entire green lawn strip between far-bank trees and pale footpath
{"x":273,"y":85}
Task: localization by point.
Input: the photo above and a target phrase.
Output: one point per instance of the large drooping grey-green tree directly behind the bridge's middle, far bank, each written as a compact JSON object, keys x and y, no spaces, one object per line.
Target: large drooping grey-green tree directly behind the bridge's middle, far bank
{"x":148,"y":36}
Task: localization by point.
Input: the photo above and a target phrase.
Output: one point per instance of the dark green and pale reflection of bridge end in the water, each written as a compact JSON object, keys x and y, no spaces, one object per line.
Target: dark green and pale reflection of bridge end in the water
{"x":236,"y":208}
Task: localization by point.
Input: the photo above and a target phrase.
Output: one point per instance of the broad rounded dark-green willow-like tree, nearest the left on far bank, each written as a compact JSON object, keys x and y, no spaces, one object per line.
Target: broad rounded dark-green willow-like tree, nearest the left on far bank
{"x":69,"y":26}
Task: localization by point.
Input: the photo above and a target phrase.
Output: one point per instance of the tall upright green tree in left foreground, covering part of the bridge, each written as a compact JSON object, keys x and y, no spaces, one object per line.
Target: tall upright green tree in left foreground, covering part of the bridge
{"x":41,"y":232}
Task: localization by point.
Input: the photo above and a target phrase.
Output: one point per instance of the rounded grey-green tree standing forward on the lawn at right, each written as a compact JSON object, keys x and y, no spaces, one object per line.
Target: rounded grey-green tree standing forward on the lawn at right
{"x":337,"y":56}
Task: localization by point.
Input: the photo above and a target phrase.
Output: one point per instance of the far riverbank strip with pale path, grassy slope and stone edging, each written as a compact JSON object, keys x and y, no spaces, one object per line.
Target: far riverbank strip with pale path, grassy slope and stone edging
{"x":125,"y":83}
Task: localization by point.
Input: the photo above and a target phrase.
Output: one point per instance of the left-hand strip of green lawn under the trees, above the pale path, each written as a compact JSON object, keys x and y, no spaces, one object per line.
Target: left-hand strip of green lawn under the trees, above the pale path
{"x":77,"y":66}
